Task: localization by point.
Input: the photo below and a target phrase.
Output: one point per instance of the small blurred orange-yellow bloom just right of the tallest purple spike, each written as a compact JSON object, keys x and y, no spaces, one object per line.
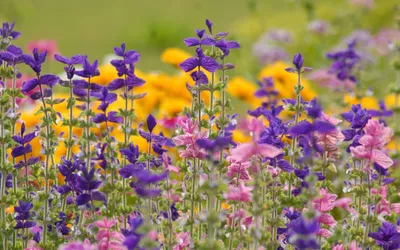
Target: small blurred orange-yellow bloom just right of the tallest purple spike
{"x":242,"y":89}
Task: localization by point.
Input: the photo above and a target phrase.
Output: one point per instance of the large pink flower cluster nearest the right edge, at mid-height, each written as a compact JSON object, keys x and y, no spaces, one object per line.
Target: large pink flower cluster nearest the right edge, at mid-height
{"x":375,"y":138}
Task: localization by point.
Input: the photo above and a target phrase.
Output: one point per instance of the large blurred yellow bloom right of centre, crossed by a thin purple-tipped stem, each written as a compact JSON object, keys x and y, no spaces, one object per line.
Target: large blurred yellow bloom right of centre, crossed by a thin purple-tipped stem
{"x":285,"y":82}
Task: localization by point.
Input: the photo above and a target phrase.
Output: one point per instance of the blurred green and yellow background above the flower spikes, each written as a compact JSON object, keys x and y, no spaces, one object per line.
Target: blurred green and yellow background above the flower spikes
{"x":268,"y":31}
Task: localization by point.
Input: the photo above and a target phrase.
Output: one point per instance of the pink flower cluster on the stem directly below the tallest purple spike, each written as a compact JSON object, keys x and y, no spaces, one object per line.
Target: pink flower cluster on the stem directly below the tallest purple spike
{"x":189,"y":138}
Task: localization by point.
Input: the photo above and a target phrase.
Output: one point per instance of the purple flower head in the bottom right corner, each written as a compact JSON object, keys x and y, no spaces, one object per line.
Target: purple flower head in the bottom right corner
{"x":387,"y":236}
